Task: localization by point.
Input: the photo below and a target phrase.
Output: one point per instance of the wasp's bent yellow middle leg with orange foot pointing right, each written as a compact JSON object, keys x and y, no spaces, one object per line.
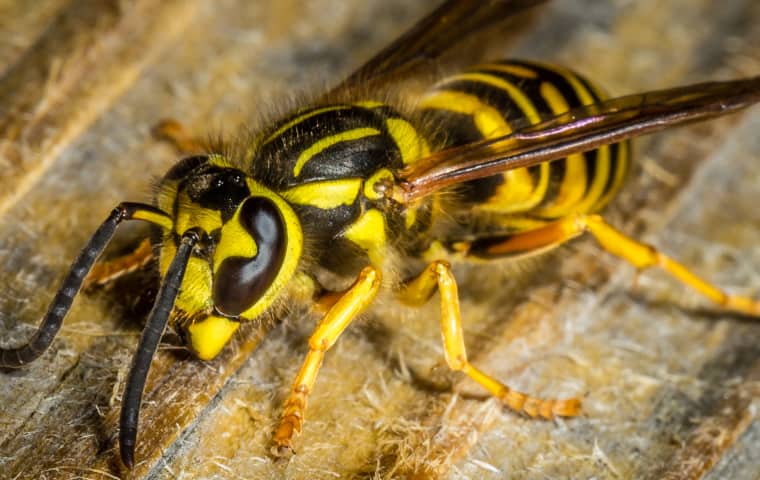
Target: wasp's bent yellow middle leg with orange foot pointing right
{"x":438,"y":274}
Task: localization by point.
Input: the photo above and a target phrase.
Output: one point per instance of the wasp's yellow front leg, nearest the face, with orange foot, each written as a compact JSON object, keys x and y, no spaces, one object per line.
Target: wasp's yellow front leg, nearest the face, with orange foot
{"x":335,"y":321}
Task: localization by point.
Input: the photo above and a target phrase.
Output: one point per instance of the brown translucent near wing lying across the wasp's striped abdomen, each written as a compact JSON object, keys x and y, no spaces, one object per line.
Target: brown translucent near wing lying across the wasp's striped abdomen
{"x":579,"y":130}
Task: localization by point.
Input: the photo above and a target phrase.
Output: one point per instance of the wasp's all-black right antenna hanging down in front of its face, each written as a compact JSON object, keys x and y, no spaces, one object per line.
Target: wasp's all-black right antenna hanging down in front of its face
{"x":146,"y":350}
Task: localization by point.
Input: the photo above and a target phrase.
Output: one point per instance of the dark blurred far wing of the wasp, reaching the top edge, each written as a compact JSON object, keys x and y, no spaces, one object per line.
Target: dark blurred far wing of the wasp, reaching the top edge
{"x":429,"y":38}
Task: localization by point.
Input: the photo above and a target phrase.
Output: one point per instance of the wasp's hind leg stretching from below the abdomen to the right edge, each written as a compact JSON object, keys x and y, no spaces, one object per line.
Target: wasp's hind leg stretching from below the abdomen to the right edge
{"x":640,"y":255}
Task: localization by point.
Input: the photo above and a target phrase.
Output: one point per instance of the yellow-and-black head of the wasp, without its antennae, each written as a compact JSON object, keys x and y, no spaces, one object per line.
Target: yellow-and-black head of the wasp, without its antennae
{"x":251,"y":249}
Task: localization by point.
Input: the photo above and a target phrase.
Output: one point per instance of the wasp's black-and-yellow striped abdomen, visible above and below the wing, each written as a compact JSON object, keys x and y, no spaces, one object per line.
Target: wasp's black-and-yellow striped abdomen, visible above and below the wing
{"x":495,"y":99}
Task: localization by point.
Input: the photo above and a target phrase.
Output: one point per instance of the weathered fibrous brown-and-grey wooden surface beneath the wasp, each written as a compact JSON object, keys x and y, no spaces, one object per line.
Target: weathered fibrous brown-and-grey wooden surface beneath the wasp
{"x":670,"y":384}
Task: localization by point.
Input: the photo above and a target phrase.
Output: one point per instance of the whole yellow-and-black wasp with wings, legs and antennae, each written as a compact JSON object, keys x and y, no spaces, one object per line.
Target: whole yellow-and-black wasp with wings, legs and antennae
{"x":351,"y":195}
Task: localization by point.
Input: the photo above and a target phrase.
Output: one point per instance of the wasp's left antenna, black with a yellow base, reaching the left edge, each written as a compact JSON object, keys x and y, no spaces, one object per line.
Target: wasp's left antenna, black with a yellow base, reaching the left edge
{"x":59,"y":307}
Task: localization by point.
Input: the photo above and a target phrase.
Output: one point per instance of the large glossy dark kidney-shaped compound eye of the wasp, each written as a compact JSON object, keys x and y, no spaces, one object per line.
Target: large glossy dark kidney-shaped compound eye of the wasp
{"x":240,"y":281}
